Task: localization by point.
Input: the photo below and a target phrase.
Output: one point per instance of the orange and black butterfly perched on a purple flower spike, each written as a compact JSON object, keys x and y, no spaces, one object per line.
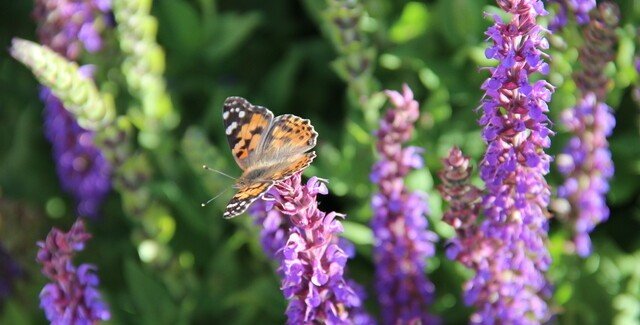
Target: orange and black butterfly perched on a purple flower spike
{"x":267,"y":149}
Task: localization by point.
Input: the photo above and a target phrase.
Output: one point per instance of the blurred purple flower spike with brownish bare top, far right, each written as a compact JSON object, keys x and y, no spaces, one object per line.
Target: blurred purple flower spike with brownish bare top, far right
{"x":586,"y":160}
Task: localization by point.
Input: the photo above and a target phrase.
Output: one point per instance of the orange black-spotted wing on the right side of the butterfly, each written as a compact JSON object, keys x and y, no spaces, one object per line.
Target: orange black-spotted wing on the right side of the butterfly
{"x":293,"y":131}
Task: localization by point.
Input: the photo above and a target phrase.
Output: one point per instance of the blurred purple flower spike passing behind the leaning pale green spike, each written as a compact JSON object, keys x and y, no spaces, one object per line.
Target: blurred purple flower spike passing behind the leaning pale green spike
{"x":66,"y":26}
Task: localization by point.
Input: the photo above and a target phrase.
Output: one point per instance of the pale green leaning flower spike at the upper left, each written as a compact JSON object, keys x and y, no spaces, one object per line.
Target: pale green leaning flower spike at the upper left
{"x":79,"y":94}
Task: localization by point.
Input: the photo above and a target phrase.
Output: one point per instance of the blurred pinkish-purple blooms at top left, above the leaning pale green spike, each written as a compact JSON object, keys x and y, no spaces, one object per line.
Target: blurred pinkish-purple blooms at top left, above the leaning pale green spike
{"x":67,"y":26}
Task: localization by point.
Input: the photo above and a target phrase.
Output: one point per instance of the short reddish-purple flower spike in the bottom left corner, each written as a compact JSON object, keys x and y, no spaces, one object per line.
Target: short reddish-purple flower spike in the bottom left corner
{"x":72,"y":297}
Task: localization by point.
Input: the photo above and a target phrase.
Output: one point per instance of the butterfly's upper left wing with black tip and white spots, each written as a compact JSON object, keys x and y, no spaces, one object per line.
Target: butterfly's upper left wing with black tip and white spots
{"x":245,"y":126}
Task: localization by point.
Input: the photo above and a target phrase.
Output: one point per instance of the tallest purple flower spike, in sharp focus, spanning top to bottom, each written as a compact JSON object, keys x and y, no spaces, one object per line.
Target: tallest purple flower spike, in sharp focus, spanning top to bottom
{"x":512,"y":289}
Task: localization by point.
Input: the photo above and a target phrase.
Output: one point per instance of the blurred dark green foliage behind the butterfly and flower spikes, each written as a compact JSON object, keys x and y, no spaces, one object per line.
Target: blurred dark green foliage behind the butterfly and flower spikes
{"x":170,"y":261}
